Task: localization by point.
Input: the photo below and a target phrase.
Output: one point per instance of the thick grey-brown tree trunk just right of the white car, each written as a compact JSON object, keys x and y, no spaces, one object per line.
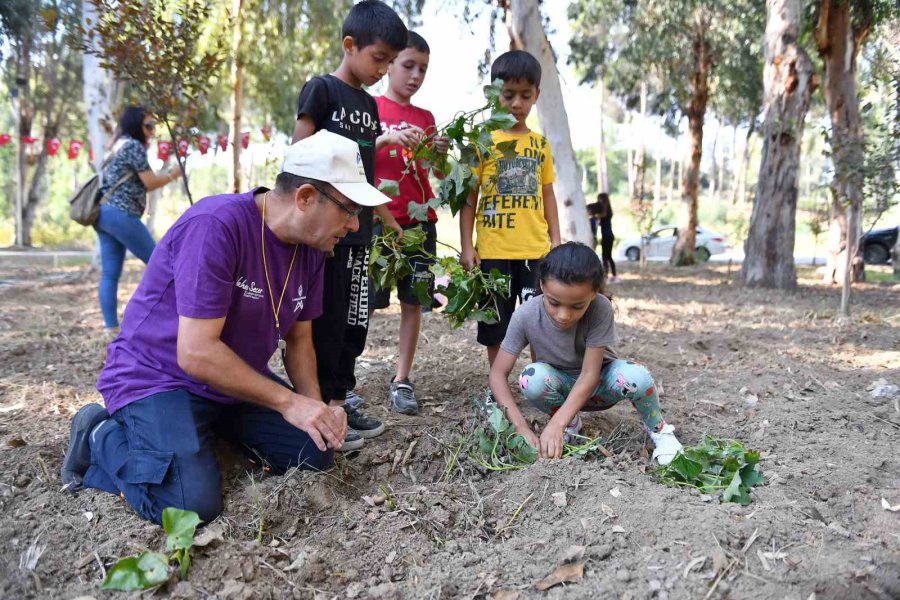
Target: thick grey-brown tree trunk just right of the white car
{"x":788,"y":86}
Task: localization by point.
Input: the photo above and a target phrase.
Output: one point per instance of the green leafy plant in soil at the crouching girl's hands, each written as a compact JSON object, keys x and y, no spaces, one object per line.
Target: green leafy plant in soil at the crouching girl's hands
{"x":496,"y":446}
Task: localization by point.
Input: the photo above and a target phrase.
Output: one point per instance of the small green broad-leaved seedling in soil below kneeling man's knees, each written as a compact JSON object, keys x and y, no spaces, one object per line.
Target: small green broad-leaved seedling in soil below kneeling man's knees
{"x":150,"y":569}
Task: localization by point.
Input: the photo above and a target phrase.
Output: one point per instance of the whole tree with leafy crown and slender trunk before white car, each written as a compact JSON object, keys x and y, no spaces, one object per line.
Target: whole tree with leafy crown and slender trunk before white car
{"x":688,"y":46}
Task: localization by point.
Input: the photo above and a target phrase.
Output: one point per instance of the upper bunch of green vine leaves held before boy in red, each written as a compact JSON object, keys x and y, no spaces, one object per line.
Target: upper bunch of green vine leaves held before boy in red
{"x":470,"y":141}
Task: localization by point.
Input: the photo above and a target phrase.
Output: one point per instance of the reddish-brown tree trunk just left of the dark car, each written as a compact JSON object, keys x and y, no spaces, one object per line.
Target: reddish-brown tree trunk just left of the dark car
{"x":838,"y":40}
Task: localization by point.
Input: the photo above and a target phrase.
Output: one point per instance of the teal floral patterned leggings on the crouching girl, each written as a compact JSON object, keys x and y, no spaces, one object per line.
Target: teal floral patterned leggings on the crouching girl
{"x":547,"y":387}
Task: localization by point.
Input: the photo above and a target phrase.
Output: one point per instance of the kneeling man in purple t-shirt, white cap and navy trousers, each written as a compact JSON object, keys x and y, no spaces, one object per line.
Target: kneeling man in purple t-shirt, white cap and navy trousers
{"x":237,"y":277}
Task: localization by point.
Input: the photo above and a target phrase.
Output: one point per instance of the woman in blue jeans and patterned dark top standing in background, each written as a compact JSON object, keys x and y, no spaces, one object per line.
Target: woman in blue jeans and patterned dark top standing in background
{"x":119,"y":225}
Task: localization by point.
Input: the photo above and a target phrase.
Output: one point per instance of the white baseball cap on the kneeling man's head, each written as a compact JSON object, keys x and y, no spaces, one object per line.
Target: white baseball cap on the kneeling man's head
{"x":334,"y":159}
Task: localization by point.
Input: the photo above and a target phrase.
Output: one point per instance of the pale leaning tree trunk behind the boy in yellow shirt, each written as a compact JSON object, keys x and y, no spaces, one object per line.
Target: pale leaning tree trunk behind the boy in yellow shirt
{"x":526,"y":32}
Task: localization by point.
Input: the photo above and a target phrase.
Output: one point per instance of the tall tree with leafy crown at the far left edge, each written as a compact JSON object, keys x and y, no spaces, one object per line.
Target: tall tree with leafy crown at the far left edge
{"x":47,"y":72}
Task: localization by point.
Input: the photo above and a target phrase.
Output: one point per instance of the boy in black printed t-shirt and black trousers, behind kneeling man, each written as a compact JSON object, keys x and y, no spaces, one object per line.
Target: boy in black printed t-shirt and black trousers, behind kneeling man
{"x":373,"y":36}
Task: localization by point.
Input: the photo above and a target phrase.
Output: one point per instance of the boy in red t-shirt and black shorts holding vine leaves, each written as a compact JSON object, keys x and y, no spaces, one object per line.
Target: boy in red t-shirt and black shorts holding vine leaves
{"x":398,"y":116}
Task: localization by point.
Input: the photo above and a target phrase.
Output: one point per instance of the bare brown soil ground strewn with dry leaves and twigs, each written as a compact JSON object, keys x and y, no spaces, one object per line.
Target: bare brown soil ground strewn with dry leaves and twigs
{"x":774,"y":370}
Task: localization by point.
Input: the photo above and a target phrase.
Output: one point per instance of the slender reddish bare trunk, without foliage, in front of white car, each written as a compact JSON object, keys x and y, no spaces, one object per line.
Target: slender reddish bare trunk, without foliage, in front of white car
{"x":683,"y":251}
